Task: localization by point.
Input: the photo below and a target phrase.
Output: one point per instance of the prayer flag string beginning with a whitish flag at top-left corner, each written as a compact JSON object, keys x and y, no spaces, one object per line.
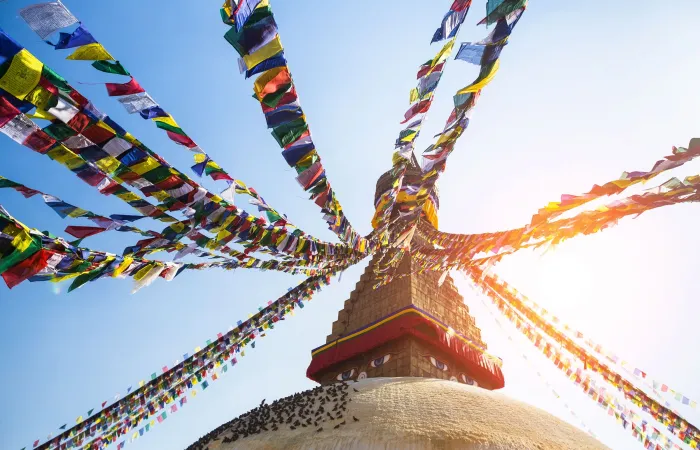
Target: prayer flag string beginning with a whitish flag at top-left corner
{"x":130,"y":94}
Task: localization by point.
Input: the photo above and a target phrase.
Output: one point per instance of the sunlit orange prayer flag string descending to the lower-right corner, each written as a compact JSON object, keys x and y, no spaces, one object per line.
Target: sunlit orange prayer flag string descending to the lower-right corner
{"x":502,"y":295}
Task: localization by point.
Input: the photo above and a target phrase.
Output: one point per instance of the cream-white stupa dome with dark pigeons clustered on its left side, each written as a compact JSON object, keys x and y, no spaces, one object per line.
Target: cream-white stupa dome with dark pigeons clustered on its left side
{"x":398,"y":413}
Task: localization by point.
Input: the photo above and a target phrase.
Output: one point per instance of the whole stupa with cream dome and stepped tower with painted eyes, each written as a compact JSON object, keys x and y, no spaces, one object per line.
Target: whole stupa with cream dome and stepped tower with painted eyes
{"x":403,"y":368}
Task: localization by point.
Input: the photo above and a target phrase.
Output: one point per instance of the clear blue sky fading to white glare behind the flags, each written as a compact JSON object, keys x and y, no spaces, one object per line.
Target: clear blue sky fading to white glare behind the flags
{"x":585,"y":91}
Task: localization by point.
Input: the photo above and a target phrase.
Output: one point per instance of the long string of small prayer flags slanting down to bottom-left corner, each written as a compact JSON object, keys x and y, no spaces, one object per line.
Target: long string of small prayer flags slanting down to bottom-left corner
{"x":140,"y":408}
